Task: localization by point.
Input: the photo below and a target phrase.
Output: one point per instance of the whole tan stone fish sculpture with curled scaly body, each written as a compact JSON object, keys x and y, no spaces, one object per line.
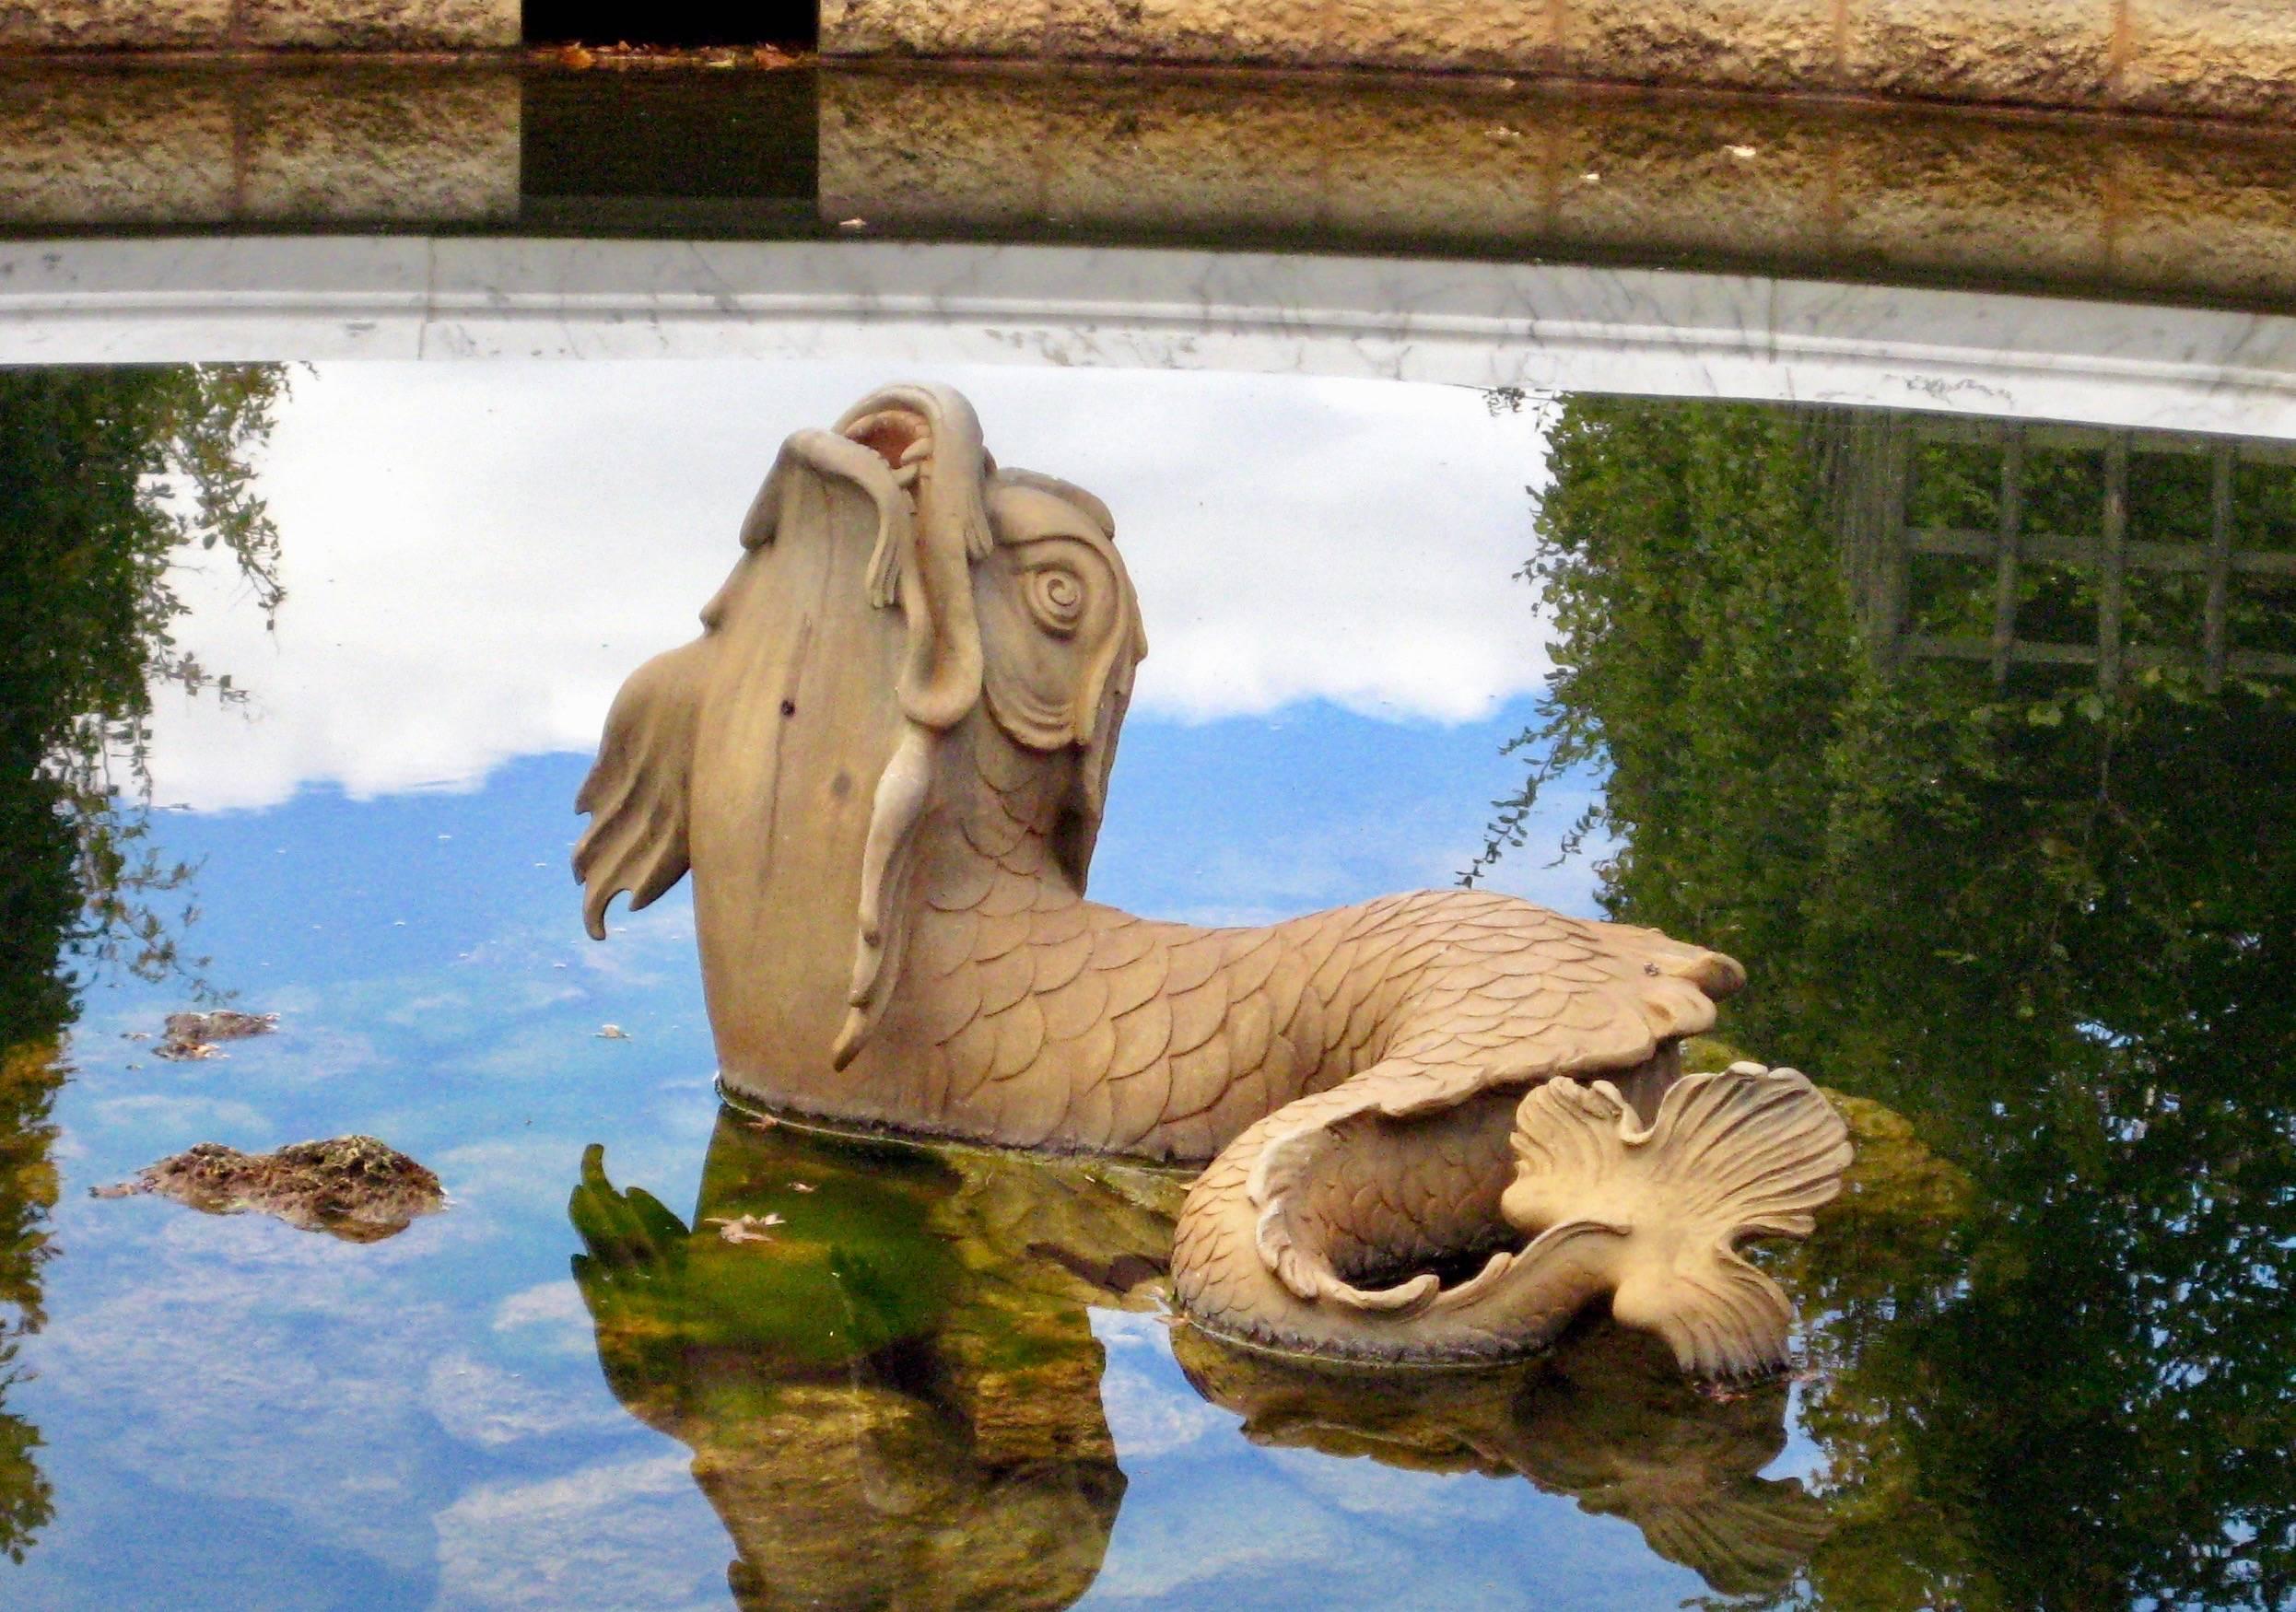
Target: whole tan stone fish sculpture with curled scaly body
{"x":1438,"y":1124}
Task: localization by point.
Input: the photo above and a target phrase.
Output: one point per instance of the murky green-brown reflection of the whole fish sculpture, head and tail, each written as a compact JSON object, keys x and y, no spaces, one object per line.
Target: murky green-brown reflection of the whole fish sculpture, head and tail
{"x":899,"y":1400}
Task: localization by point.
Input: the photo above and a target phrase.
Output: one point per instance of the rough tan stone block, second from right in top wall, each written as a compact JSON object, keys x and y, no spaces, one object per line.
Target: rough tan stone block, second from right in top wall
{"x":2045,"y":52}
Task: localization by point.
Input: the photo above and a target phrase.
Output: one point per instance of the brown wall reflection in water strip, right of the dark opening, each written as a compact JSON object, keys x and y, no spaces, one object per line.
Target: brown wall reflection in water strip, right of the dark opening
{"x":1799,"y":187}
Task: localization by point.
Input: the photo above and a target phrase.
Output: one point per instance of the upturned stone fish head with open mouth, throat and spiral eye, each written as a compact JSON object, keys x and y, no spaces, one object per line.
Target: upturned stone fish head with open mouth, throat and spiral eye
{"x":908,"y":628}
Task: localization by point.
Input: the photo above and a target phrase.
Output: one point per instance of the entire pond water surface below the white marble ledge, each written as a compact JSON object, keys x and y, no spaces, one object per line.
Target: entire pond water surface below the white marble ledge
{"x":1969,"y":736}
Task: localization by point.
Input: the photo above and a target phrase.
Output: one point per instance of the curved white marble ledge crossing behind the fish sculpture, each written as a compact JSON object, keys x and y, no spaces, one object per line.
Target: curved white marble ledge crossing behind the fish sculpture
{"x":926,"y":304}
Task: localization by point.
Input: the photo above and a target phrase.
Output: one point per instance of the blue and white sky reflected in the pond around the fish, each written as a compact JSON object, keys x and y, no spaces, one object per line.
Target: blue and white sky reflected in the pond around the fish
{"x":474,"y":561}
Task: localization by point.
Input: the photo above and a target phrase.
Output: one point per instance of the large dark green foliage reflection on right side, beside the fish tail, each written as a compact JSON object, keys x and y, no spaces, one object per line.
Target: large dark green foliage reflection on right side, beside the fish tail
{"x":2049,"y":922}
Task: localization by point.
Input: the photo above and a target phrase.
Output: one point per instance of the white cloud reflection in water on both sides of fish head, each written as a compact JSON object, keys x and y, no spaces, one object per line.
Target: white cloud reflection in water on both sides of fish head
{"x":479,"y":557}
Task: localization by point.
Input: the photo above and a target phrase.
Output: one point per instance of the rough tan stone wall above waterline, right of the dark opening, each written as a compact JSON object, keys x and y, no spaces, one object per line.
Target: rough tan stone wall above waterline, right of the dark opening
{"x":2228,"y":59}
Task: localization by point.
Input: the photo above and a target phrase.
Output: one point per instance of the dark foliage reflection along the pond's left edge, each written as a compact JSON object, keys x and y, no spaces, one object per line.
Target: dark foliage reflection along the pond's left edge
{"x":109,"y":483}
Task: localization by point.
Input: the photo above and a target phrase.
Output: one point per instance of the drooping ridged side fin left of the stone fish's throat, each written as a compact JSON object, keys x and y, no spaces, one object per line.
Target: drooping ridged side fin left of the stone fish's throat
{"x":637,"y":791}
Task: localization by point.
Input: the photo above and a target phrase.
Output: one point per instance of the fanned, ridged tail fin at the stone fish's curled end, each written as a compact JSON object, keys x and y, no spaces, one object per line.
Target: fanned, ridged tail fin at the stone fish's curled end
{"x":1659,"y":1209}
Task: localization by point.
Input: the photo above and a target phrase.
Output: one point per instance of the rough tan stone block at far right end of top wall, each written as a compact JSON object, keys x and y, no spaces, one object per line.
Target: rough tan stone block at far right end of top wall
{"x":2212,"y":56}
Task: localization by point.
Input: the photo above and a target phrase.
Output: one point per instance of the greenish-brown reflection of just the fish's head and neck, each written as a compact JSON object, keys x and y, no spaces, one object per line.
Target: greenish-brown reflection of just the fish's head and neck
{"x":885,"y":1404}
